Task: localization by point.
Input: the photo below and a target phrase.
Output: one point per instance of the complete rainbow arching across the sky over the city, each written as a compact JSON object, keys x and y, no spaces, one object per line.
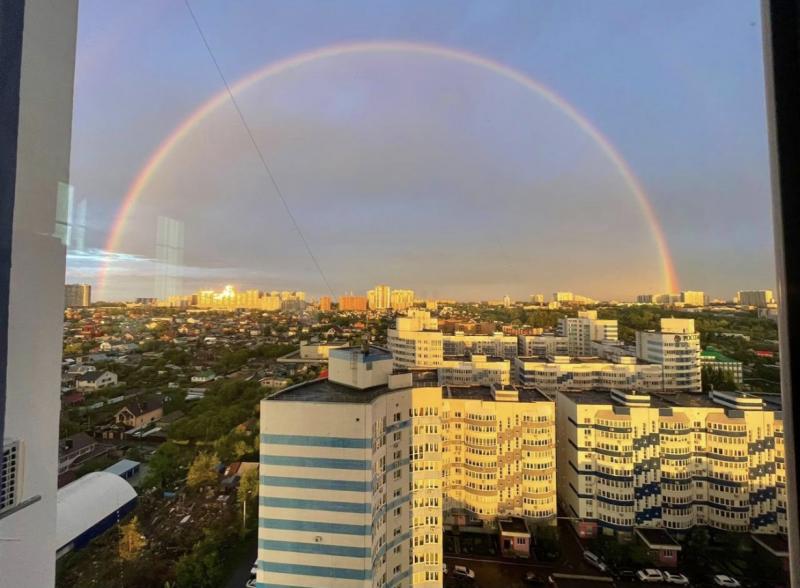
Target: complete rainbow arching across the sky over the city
{"x":179,"y":133}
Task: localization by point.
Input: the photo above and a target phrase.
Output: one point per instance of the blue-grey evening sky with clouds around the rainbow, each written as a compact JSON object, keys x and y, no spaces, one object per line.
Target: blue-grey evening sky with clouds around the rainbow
{"x":424,"y":173}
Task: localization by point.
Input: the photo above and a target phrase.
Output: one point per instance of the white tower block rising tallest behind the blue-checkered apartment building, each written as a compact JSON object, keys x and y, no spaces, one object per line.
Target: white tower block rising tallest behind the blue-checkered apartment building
{"x":677,"y":348}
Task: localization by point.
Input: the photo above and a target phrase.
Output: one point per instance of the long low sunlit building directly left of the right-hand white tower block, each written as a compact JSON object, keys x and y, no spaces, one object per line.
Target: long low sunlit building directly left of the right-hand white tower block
{"x":556,"y":373}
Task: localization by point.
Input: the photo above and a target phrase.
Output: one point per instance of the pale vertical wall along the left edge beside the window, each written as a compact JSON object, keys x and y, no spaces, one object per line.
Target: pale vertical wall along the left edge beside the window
{"x":37,"y":287}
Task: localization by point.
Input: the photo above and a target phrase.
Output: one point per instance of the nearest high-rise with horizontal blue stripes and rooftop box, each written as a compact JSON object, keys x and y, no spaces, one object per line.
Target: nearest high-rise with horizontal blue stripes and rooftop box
{"x":356,"y":499}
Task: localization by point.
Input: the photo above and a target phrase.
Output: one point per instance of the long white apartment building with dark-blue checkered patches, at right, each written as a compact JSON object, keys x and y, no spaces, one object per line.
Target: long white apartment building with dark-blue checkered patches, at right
{"x":628,"y":460}
